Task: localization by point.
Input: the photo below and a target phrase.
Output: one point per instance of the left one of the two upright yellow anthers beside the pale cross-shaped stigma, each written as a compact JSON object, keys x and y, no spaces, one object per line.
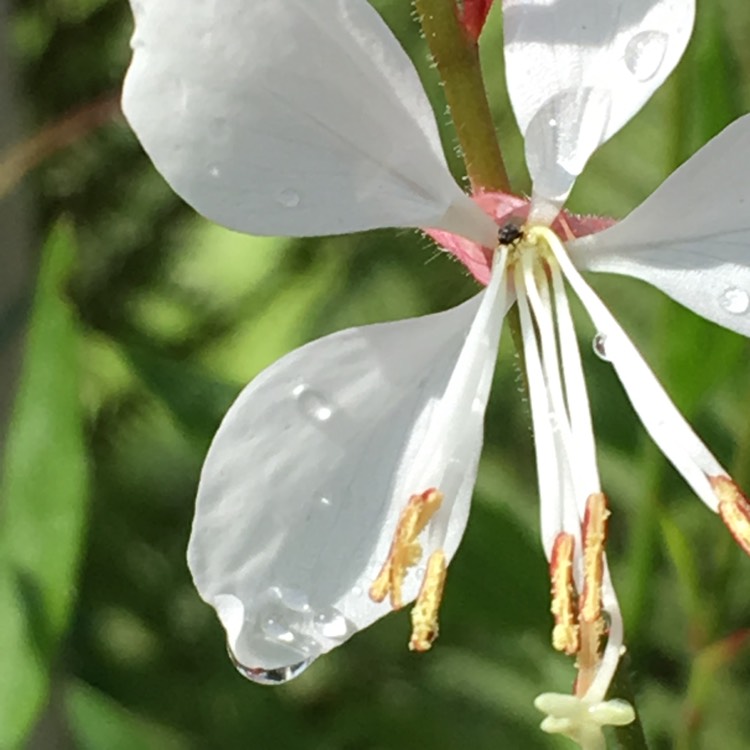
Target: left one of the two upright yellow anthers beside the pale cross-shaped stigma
{"x":565,"y":635}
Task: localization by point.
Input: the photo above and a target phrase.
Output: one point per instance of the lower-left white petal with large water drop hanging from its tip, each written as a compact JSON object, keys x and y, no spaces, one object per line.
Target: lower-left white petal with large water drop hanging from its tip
{"x":312,"y":465}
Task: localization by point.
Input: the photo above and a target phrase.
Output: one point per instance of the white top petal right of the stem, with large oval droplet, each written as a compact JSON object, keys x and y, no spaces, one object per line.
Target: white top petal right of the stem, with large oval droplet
{"x":578,"y":70}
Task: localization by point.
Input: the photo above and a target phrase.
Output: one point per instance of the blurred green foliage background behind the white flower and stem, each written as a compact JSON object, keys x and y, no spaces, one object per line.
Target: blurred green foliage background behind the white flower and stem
{"x":139,"y":323}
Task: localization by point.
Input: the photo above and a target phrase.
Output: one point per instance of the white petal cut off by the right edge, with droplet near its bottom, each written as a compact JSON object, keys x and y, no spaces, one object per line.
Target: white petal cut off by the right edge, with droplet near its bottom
{"x":691,"y":237}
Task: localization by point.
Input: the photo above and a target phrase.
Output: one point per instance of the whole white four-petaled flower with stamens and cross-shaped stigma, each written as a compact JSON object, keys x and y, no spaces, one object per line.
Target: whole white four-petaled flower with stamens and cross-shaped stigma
{"x":353,"y":459}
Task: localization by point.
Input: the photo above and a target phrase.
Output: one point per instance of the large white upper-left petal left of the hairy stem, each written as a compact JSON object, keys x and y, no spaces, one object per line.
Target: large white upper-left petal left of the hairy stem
{"x":289,"y":117}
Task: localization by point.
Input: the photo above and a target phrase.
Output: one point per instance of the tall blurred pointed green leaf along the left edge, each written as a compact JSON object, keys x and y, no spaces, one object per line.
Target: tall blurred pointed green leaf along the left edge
{"x":44,"y":498}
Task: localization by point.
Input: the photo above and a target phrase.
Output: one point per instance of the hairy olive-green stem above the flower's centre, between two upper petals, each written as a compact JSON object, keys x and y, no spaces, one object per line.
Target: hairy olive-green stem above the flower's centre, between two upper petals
{"x":457,"y":58}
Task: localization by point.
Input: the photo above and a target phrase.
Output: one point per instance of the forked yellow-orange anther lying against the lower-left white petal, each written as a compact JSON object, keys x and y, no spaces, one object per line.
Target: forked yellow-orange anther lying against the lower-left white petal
{"x":405,"y":550}
